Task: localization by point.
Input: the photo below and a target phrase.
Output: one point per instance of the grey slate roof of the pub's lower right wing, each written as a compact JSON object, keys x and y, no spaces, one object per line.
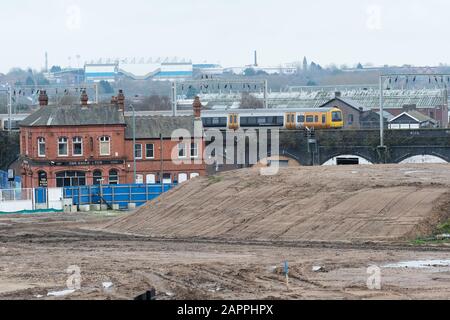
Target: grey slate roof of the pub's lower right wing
{"x":150,"y":127}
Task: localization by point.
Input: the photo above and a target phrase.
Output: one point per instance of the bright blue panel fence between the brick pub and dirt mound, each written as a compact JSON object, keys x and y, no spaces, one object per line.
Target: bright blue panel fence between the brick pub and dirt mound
{"x":121,"y":195}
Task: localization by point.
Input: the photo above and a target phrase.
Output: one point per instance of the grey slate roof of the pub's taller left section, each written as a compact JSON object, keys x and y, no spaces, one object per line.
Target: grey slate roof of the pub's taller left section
{"x":74,"y":115}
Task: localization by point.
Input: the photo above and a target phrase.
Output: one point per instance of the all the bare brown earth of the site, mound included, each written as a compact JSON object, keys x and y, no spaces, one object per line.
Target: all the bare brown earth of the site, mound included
{"x":229,"y":236}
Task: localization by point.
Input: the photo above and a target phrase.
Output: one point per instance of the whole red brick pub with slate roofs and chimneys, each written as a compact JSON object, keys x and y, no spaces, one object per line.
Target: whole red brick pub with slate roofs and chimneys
{"x":90,"y":144}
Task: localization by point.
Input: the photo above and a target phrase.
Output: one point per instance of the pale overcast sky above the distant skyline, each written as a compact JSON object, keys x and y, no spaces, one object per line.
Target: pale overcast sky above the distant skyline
{"x":225,"y":31}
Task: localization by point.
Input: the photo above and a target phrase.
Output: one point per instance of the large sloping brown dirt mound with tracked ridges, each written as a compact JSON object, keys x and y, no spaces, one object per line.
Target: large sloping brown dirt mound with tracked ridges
{"x":300,"y":204}
